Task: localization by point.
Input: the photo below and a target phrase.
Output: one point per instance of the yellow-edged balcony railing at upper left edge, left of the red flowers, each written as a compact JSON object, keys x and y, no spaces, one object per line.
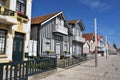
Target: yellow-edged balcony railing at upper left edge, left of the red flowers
{"x":6,"y":12}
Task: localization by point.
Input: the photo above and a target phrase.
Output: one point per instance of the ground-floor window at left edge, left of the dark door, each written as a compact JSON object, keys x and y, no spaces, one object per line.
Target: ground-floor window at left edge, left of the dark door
{"x":2,"y":41}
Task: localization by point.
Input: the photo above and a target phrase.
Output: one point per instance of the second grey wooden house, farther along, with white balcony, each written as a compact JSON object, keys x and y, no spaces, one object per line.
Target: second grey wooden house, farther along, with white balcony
{"x":76,"y":27}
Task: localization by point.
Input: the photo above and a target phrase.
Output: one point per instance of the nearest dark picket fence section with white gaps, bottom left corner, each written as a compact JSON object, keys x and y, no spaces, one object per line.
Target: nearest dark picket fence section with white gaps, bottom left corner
{"x":14,"y":71}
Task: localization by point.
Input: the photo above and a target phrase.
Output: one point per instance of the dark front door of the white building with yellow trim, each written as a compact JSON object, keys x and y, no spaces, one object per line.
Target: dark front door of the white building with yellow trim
{"x":18,"y":47}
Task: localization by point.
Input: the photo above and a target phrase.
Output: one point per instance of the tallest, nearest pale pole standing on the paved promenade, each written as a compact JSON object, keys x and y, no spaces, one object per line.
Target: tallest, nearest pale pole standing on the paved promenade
{"x":96,"y":60}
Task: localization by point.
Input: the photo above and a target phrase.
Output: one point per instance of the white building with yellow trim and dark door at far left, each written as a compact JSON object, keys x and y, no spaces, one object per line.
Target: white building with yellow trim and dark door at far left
{"x":15,"y":20}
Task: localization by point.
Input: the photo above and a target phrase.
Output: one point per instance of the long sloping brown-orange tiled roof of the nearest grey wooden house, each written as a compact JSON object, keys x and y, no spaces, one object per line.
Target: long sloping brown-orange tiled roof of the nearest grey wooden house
{"x":40,"y":19}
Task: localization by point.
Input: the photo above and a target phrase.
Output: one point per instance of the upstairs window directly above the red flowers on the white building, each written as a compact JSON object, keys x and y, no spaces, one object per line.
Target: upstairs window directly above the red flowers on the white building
{"x":21,"y":6}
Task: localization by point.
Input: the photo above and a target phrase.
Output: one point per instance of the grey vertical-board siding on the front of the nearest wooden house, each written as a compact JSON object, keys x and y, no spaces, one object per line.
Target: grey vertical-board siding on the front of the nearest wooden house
{"x":46,"y":32}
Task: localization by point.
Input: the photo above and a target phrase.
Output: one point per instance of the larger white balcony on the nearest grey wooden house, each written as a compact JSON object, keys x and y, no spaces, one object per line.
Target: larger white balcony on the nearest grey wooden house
{"x":60,"y":29}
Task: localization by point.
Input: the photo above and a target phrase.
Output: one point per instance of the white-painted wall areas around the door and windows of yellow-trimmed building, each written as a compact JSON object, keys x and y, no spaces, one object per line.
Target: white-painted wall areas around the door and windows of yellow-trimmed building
{"x":26,"y":29}
